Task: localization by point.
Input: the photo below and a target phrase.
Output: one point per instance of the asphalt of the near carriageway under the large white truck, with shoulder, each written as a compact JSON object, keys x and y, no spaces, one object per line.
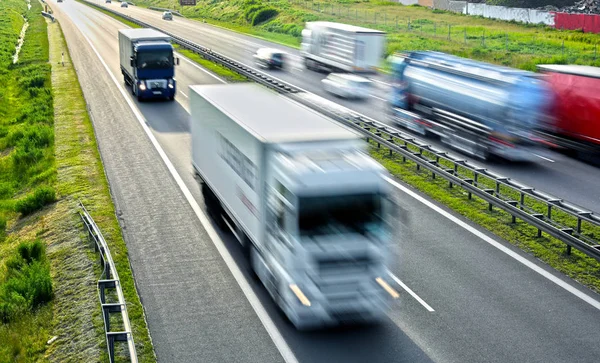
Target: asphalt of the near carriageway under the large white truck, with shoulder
{"x":466,"y":296}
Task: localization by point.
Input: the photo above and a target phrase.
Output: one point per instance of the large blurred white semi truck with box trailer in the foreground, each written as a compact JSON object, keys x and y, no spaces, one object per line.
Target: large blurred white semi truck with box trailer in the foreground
{"x":297,"y":190}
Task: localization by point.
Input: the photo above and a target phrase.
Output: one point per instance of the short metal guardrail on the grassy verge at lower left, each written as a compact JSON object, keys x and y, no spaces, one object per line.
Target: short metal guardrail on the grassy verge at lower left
{"x":109,"y":279}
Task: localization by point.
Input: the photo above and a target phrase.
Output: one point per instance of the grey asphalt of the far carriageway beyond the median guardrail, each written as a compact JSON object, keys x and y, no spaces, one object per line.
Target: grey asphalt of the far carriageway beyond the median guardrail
{"x":554,"y":173}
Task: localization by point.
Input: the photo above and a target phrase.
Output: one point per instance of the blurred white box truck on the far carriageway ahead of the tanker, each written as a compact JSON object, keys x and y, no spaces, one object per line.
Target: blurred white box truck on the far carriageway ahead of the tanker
{"x":342,"y":47}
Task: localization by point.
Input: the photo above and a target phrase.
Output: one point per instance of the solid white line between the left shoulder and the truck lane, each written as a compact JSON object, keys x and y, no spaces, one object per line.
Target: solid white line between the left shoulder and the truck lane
{"x":260,"y":311}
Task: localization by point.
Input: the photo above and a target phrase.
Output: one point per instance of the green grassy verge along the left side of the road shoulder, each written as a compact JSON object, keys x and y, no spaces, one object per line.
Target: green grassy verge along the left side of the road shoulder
{"x":47,"y":153}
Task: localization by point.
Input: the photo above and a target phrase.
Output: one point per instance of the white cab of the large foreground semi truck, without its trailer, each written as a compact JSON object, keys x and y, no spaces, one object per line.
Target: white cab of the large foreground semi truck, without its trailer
{"x":327,"y":246}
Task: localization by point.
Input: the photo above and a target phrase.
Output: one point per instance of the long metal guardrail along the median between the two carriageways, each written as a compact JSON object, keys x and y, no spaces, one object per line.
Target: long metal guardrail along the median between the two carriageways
{"x":440,"y":163}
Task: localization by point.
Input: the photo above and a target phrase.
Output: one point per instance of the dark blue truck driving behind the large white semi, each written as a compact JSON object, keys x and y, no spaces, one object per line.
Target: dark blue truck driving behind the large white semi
{"x":147,"y":63}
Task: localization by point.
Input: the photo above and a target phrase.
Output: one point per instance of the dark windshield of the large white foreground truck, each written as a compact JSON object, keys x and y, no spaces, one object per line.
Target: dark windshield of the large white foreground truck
{"x":323,"y":215}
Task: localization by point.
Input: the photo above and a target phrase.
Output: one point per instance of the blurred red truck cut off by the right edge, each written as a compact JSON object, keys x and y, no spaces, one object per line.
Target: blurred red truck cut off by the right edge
{"x":575,"y":111}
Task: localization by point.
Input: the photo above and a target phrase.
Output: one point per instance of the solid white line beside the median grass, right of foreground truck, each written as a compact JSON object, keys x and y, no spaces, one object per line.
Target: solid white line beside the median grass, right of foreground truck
{"x":583,"y":296}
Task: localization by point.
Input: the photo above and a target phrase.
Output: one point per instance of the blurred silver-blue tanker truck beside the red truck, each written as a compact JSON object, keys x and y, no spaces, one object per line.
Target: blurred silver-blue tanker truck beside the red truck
{"x":478,"y":108}
